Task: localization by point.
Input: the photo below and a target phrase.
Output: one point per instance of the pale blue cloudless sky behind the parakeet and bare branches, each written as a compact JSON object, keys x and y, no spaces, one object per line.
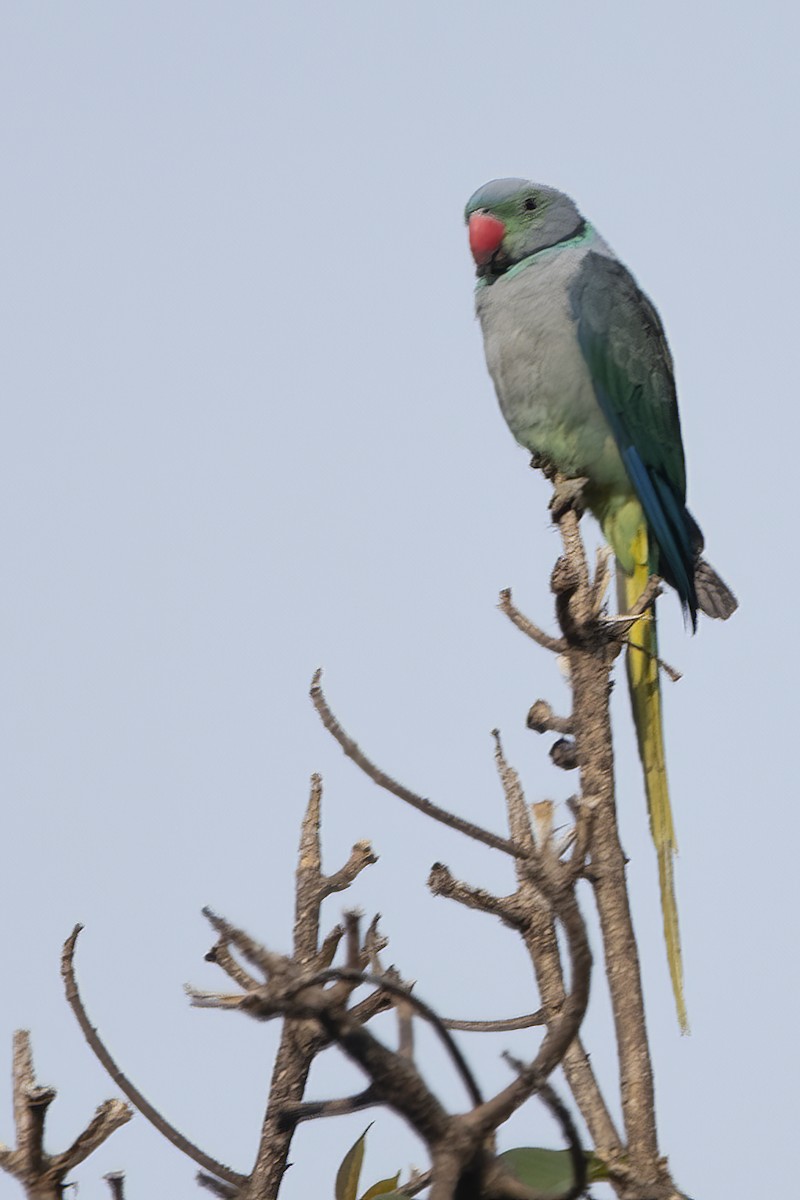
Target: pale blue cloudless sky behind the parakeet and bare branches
{"x":248,"y":430}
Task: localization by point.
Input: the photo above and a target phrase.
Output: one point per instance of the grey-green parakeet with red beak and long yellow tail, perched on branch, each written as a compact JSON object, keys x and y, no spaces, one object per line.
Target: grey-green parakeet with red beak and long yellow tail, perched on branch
{"x":585,"y":377}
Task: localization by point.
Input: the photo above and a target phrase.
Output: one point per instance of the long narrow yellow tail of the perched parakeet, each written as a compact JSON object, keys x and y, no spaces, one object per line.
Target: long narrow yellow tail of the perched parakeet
{"x":646,"y":703}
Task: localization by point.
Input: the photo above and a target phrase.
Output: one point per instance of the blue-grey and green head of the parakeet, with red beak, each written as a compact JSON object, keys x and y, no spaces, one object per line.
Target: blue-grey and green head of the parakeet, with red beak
{"x":512,"y":219}
